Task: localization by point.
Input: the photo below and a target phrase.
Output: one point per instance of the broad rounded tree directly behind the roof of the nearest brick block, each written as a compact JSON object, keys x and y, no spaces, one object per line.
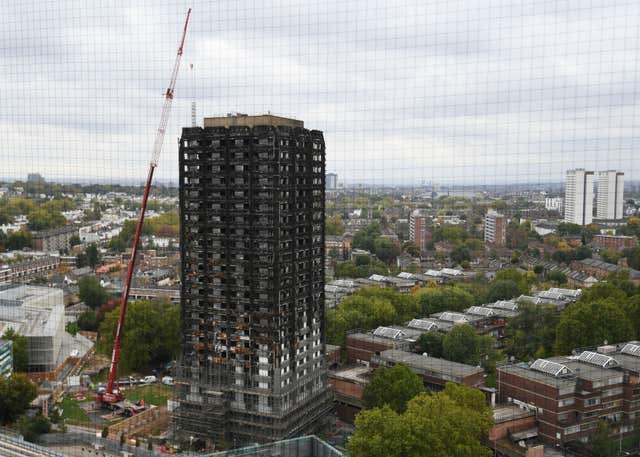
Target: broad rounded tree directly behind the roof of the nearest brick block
{"x":592,"y":323}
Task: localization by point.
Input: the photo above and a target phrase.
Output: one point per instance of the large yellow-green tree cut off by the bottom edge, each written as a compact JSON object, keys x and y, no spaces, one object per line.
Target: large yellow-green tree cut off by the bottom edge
{"x":449,"y":423}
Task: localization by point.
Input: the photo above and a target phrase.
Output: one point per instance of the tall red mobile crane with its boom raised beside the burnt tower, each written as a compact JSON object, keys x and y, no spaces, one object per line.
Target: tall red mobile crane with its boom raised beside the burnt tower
{"x":112,"y":394}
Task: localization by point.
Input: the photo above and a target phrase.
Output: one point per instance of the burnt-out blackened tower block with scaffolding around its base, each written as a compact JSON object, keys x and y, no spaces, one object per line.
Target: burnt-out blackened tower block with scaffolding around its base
{"x":252,"y":238}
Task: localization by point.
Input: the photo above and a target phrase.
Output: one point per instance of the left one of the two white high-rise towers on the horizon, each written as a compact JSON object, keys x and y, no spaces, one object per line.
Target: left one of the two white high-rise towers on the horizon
{"x":578,"y":199}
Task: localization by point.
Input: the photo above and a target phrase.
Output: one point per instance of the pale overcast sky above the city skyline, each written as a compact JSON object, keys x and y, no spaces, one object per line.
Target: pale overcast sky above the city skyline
{"x":406,"y":92}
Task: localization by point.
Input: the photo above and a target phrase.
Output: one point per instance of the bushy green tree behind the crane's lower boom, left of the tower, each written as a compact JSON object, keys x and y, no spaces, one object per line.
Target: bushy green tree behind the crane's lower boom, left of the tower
{"x":151,"y":334}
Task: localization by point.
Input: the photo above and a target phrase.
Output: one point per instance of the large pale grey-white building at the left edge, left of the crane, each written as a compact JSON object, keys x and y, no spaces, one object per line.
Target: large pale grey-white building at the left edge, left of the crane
{"x":38,"y":314}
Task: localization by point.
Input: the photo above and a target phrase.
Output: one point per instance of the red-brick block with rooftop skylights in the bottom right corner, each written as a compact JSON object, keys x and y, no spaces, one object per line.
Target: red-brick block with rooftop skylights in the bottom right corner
{"x":570,"y":395}
